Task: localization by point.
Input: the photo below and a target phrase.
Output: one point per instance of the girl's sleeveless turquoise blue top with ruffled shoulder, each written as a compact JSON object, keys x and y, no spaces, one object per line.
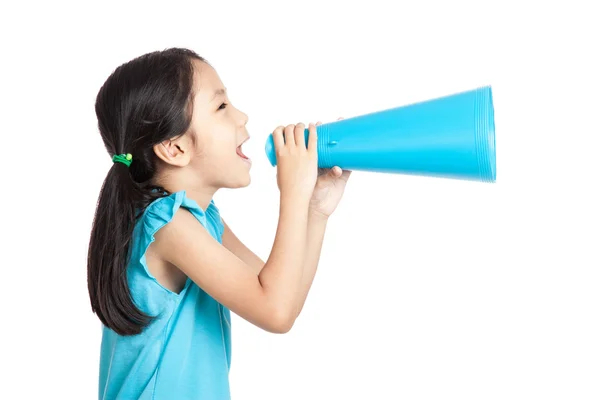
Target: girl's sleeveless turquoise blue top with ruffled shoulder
{"x":185,"y":352}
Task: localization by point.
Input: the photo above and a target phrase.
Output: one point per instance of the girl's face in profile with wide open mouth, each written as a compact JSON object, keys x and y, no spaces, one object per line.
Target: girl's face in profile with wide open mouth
{"x":219,"y":130}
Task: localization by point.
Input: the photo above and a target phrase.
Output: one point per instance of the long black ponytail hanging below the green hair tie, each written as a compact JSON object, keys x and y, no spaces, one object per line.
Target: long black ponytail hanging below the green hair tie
{"x":109,"y":252}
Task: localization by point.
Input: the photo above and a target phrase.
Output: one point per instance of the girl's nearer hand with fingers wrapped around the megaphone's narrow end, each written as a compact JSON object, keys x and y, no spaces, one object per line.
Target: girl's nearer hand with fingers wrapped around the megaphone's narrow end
{"x":297,"y":168}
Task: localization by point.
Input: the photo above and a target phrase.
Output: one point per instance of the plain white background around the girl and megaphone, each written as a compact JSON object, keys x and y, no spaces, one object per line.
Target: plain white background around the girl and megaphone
{"x":427,"y":288}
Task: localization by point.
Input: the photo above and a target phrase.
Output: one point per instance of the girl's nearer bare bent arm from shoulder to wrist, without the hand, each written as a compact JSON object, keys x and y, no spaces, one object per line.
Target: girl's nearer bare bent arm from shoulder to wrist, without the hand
{"x":269,"y":299}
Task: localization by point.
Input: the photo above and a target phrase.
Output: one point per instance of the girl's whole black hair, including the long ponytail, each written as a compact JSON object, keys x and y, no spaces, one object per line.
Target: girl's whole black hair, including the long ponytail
{"x":142,"y":103}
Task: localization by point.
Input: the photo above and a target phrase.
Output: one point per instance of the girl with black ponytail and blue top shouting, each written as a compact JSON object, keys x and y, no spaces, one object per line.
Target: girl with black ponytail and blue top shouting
{"x":164,"y":269}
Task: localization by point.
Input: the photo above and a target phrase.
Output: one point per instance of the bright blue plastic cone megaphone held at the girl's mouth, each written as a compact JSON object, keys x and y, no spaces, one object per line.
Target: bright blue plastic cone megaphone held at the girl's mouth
{"x":449,"y":137}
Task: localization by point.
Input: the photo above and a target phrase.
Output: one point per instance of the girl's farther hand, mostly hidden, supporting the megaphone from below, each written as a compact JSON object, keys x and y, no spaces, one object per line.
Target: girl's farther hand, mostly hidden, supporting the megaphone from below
{"x":328,"y":189}
